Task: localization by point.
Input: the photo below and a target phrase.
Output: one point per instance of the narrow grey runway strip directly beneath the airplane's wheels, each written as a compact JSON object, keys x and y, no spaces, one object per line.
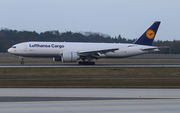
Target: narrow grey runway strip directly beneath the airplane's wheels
{"x":76,"y":65}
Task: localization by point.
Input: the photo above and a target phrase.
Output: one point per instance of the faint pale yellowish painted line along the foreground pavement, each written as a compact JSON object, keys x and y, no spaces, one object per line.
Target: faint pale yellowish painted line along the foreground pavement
{"x":99,"y":107}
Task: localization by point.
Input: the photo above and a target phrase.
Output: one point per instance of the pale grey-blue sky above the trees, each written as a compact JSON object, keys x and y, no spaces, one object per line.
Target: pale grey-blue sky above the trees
{"x":130,"y":18}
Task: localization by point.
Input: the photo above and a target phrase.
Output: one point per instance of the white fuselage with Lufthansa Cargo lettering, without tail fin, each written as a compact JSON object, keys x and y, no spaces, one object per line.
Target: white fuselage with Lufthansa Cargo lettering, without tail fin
{"x":54,"y":49}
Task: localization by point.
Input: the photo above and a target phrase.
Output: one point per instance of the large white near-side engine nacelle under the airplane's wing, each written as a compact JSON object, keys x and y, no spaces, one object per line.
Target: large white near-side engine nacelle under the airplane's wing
{"x":69,"y":56}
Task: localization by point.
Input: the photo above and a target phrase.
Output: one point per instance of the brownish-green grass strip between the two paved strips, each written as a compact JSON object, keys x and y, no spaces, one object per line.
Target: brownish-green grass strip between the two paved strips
{"x":90,"y":77}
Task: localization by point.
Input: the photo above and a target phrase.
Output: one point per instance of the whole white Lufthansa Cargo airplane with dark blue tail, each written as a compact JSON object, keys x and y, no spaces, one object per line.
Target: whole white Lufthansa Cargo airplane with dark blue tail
{"x":74,"y":51}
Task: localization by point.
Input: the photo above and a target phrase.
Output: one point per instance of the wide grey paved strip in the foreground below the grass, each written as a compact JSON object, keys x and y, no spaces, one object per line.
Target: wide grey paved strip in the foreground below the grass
{"x":88,"y":100}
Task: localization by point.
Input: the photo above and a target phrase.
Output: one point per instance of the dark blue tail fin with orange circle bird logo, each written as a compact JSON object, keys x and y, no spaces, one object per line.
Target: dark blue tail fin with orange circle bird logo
{"x":148,"y":36}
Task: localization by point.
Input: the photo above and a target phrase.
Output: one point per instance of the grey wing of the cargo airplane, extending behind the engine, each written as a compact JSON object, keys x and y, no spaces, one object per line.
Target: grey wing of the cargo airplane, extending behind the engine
{"x":96,"y":51}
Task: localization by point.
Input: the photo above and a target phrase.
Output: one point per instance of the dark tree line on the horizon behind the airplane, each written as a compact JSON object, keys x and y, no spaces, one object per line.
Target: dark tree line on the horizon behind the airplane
{"x":10,"y":37}
